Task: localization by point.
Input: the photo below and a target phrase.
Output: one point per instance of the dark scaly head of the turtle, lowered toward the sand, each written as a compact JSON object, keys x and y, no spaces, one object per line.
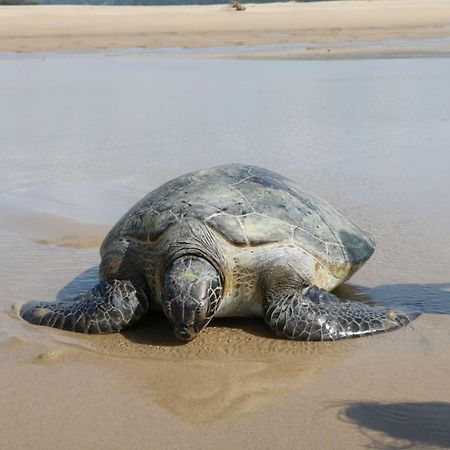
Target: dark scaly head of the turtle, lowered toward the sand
{"x":192,"y":293}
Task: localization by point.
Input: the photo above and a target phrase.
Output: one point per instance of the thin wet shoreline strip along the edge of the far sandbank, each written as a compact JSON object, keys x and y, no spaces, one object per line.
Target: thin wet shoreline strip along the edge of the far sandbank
{"x":383,"y":49}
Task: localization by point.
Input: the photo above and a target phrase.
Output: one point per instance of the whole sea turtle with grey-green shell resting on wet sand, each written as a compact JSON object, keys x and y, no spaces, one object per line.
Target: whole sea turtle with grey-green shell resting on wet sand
{"x":234,"y":240}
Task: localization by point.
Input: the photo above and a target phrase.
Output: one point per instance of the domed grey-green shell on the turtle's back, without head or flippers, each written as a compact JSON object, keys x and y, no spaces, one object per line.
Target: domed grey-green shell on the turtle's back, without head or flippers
{"x":251,"y":206}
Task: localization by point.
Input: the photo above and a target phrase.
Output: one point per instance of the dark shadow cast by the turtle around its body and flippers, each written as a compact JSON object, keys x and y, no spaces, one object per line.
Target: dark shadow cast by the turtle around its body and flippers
{"x":154,"y":328}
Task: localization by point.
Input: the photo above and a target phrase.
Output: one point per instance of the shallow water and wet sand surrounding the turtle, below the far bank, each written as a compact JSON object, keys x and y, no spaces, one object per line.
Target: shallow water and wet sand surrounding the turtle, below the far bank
{"x":83,"y":138}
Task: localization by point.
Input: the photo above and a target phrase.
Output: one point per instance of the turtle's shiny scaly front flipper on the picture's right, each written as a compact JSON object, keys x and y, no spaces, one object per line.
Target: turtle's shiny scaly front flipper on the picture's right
{"x":313,"y":314}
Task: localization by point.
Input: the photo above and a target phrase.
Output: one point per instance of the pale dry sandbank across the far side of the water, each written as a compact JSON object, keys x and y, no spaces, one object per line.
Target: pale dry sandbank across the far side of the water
{"x":329,"y":28}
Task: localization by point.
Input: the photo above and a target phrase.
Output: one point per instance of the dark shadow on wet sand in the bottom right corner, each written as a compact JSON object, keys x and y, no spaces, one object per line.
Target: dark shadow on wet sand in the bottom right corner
{"x":413,"y":424}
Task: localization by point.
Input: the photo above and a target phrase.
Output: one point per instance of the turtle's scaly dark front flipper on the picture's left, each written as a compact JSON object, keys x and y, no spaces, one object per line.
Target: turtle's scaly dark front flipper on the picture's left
{"x":109,"y":306}
